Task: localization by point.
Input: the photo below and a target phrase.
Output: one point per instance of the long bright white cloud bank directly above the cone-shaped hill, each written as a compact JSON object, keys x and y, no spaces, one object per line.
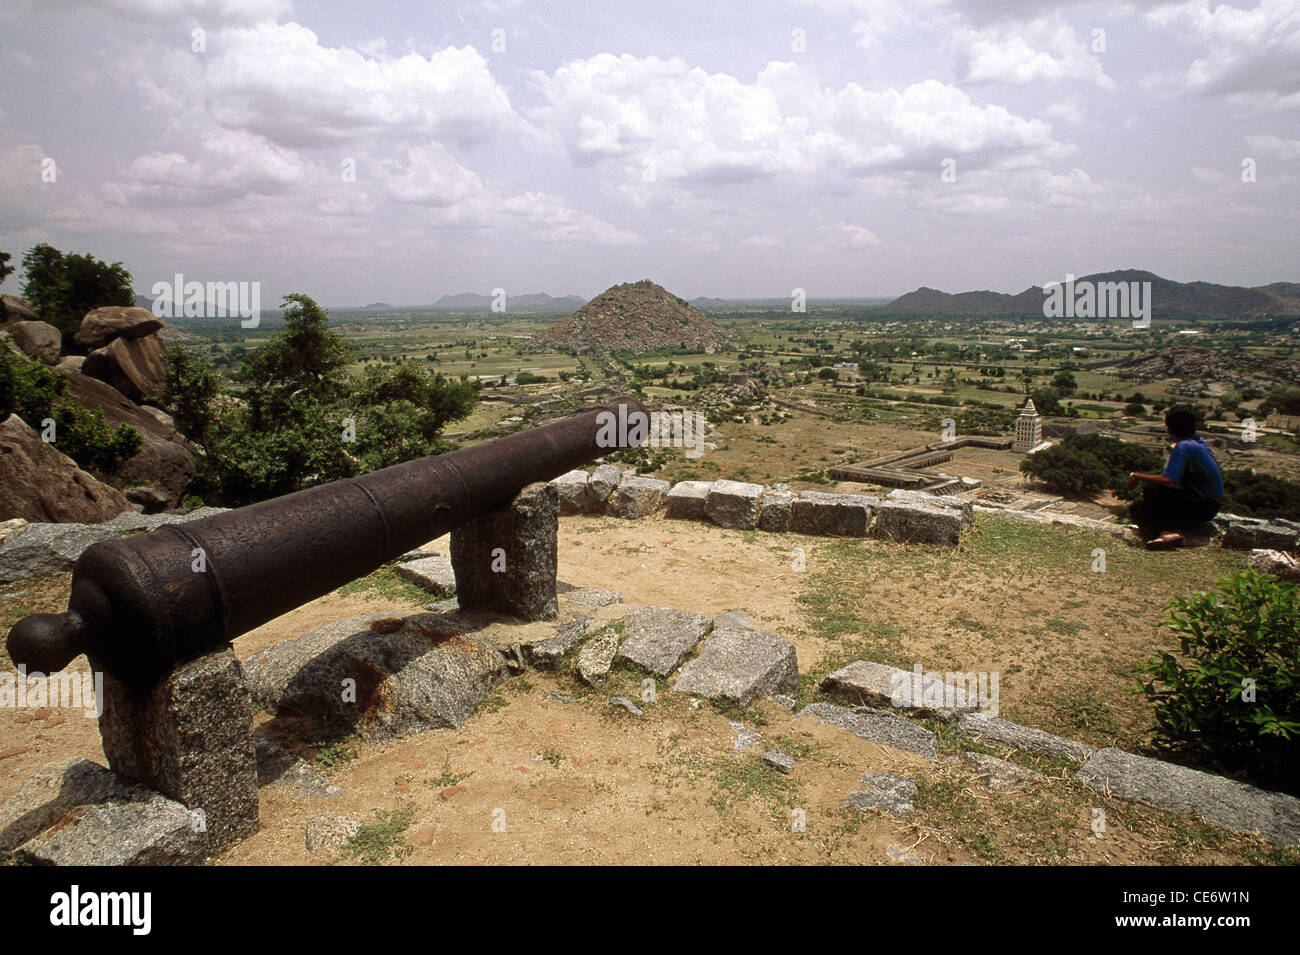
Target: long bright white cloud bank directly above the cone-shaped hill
{"x":701,"y":131}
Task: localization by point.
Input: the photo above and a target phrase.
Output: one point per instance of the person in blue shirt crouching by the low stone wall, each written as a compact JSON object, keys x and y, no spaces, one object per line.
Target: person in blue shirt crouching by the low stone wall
{"x":1188,"y":493}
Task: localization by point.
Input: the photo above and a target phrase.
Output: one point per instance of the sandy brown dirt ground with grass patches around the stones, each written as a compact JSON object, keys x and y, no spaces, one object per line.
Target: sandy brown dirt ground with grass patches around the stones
{"x":549,"y":772}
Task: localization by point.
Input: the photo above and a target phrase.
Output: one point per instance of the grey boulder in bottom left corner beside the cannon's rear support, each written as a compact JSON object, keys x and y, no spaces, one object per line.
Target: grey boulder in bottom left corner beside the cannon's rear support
{"x":76,"y":813}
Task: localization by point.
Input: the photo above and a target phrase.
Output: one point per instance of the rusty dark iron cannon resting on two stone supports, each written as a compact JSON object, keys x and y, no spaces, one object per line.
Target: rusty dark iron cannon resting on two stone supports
{"x":142,"y":605}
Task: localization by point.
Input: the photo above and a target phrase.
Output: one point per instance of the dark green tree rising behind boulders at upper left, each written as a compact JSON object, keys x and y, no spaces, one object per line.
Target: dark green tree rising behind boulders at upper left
{"x":64,"y":288}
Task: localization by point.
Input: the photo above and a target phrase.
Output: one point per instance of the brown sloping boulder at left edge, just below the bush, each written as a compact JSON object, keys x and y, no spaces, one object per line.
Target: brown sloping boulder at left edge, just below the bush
{"x":41,"y":484}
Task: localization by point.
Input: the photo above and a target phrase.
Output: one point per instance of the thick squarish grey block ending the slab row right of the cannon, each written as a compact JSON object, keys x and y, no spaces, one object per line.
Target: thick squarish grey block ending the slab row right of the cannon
{"x":742,"y":666}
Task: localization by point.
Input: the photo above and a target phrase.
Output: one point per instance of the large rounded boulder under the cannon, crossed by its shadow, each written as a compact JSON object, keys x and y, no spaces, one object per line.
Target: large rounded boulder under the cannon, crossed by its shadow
{"x":408,"y":675}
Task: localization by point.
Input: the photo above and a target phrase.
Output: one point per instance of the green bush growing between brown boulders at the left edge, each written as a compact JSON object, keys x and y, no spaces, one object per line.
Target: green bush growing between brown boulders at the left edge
{"x":36,"y":393}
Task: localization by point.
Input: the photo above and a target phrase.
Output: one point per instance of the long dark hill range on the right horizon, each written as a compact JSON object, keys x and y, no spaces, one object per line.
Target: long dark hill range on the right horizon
{"x":1169,"y":299}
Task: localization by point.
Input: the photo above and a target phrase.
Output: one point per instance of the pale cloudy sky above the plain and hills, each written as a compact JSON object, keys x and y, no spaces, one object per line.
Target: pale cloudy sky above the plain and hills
{"x":398,"y":151}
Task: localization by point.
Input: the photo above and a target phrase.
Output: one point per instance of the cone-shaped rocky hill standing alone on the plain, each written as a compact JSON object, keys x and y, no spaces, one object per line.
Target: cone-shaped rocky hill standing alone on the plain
{"x":635,"y":318}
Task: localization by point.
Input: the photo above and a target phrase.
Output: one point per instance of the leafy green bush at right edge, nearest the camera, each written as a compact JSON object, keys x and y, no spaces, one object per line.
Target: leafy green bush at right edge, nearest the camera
{"x":1249,"y":631}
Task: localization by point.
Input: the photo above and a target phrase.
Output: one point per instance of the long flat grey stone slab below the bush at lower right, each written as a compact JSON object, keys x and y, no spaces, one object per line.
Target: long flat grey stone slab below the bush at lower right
{"x":1236,"y":806}
